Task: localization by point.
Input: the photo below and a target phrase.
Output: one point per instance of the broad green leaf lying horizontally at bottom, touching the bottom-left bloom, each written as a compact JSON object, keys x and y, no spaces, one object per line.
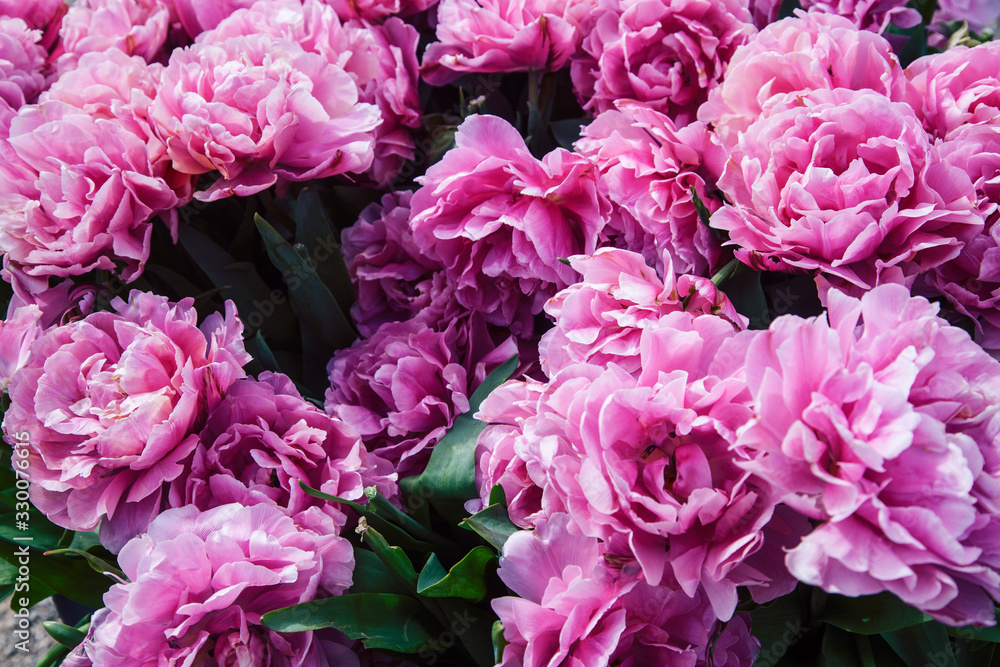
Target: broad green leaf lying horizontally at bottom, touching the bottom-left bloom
{"x":380,"y":620}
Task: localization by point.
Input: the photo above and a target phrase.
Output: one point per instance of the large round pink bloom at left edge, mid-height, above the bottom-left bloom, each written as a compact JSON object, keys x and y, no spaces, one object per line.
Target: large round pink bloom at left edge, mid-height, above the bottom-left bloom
{"x":109,"y":401}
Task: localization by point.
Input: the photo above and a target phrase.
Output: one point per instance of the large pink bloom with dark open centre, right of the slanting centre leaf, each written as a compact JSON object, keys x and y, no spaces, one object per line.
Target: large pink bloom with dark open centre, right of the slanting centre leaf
{"x":646,"y":460}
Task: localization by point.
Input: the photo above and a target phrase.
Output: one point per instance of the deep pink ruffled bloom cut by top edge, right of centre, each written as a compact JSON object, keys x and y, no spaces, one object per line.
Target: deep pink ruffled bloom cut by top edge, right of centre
{"x":665,"y":53}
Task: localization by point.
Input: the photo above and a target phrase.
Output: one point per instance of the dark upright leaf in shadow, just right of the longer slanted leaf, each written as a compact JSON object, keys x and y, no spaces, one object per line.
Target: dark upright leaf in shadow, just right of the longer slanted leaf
{"x":314,"y":231}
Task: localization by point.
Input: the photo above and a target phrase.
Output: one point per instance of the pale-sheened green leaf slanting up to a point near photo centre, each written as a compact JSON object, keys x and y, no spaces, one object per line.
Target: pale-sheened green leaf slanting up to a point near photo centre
{"x":450,"y":477}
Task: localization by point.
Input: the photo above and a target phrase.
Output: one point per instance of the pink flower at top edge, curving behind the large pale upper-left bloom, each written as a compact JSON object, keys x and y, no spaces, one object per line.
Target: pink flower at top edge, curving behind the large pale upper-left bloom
{"x":382,"y":60}
